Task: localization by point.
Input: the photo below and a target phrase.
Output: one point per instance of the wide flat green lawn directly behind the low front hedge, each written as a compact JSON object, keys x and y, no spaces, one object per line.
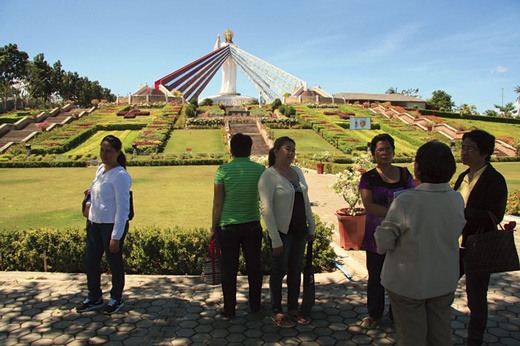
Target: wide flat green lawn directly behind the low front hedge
{"x":163,"y":196}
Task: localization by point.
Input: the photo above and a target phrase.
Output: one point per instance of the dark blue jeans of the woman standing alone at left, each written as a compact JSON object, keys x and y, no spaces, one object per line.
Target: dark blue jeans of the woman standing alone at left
{"x":98,"y":241}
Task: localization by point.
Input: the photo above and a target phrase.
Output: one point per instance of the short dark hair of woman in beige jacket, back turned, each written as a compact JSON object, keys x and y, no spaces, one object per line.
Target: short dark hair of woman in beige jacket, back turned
{"x":435,"y":163}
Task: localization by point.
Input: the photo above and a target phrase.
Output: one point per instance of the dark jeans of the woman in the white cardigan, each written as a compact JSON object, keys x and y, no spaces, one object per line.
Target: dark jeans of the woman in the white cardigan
{"x":289,"y":263}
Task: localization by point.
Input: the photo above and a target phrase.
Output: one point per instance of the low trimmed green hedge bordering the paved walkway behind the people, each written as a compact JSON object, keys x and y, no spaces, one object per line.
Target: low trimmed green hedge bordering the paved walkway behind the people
{"x":147,"y":251}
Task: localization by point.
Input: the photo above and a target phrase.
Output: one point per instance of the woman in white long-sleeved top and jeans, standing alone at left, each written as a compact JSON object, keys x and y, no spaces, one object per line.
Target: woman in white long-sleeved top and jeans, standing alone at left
{"x":107,"y":211}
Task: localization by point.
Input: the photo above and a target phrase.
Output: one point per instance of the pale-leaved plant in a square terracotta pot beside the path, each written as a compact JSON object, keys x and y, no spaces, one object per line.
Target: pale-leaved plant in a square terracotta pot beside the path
{"x":352,"y":218}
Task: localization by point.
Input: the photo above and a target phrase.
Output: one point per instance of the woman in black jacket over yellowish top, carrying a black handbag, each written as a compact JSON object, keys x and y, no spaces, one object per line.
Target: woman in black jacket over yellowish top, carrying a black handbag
{"x":483,"y":189}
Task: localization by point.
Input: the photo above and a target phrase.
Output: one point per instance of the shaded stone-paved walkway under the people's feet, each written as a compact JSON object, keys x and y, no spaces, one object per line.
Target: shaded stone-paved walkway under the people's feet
{"x":38,"y":308}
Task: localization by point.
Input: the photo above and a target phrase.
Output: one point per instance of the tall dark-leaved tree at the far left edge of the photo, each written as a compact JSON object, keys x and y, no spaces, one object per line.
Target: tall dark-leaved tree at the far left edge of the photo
{"x":13,"y":69}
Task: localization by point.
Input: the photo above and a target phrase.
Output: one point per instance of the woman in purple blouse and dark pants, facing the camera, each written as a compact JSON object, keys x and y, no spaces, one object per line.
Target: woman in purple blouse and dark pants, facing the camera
{"x":378,"y":188}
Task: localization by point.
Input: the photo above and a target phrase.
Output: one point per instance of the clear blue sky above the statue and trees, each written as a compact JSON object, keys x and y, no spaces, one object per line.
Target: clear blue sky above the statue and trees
{"x":469,"y":49}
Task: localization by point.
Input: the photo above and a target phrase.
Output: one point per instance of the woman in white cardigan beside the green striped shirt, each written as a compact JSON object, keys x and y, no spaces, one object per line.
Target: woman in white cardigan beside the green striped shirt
{"x":288,"y":216}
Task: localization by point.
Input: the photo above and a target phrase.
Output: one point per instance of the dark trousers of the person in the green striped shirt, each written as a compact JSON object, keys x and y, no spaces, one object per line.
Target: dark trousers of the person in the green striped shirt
{"x":231,"y":238}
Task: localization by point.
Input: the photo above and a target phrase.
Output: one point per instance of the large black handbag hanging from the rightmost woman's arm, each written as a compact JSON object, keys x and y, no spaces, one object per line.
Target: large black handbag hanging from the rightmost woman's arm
{"x":491,"y":250}
